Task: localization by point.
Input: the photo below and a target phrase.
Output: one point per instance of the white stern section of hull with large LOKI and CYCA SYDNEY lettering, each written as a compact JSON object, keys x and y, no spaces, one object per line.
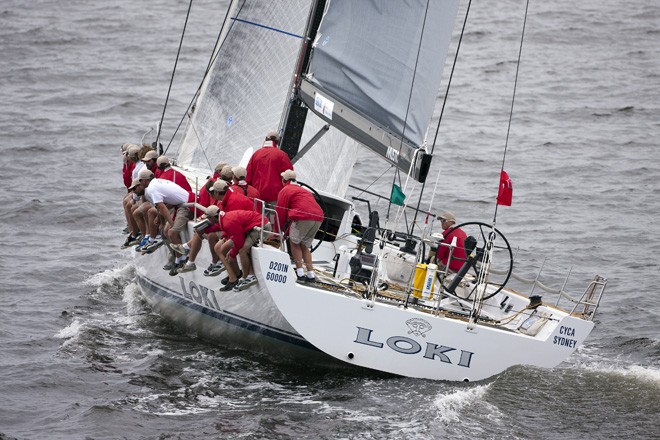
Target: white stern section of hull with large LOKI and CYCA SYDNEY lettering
{"x":409,"y":341}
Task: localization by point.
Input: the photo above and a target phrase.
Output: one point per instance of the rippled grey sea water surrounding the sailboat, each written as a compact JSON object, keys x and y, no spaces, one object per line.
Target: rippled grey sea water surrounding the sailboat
{"x":84,"y":357}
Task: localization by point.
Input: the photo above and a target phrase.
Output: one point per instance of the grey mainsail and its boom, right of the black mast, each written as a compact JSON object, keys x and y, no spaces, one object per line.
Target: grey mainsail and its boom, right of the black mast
{"x":374,"y":75}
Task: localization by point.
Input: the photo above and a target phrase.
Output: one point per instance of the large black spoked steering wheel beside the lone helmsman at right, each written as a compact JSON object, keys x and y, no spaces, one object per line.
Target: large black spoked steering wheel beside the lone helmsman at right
{"x":501,"y":265}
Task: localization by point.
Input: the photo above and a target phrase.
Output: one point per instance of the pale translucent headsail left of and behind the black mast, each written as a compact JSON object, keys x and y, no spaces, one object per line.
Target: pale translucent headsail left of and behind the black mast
{"x":247,"y":89}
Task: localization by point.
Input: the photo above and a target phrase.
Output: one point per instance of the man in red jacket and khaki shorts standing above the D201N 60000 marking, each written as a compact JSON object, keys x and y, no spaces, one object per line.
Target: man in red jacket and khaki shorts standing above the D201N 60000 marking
{"x":298,"y":206}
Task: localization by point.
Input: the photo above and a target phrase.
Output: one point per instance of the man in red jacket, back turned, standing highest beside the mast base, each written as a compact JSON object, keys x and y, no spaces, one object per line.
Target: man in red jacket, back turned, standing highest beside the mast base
{"x":265,"y":167}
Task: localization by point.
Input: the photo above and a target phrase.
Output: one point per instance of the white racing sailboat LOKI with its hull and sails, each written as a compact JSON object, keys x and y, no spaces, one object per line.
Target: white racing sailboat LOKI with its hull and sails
{"x":337,"y":76}
